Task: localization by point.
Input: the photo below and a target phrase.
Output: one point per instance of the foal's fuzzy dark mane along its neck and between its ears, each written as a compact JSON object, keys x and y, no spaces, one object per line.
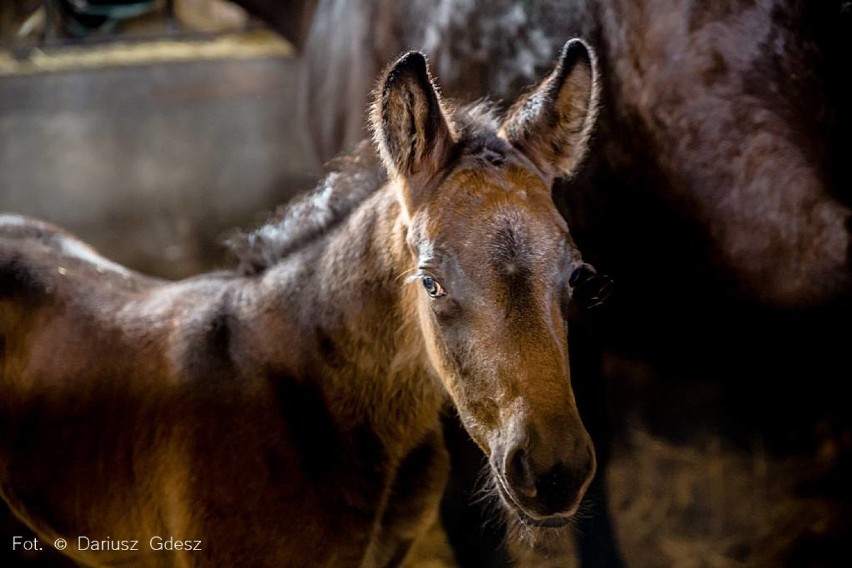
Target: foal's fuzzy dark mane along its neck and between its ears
{"x":350,"y":180}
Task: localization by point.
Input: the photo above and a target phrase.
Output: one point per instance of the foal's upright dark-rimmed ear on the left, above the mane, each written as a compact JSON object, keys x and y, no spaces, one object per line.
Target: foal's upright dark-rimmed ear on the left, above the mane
{"x":410,"y":127}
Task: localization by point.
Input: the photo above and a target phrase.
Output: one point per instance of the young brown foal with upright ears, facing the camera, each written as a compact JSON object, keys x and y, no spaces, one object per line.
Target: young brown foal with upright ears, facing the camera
{"x":288,"y":414}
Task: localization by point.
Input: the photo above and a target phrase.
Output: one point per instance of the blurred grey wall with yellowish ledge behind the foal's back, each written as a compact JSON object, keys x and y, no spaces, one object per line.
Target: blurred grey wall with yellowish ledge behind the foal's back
{"x":151,"y":130}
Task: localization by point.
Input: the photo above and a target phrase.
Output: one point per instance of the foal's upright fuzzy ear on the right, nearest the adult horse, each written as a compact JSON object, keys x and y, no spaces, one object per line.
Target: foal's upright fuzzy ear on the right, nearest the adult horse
{"x":553,"y":123}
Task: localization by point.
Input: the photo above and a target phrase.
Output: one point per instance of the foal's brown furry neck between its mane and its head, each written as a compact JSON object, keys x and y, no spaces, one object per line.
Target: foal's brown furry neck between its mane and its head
{"x":366,"y":316}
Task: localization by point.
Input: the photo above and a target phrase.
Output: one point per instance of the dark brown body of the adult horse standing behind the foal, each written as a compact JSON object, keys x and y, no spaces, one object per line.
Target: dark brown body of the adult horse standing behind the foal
{"x":731,"y":118}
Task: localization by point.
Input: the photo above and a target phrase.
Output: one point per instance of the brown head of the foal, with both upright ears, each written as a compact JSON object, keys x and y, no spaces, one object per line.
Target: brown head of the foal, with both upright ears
{"x":493,"y":262}
